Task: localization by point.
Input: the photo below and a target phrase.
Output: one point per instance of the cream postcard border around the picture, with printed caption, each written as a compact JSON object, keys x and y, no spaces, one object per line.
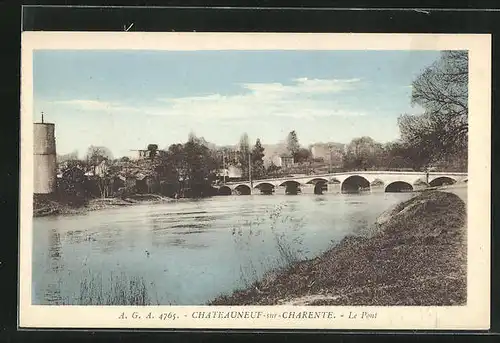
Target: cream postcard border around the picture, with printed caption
{"x":474,"y":315}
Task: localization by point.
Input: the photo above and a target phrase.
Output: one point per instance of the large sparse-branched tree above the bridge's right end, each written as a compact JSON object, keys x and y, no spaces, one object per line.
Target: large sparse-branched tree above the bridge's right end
{"x":442,"y":91}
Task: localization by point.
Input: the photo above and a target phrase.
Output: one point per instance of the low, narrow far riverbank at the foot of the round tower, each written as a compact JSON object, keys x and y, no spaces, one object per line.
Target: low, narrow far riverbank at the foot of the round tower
{"x":43,"y":207}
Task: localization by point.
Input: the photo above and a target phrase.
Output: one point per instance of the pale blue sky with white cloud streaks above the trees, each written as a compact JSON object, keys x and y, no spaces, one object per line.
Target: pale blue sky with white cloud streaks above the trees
{"x":124,"y":100}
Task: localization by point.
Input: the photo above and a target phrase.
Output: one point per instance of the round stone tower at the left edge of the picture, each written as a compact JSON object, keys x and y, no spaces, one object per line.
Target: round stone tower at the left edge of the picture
{"x":44,"y":158}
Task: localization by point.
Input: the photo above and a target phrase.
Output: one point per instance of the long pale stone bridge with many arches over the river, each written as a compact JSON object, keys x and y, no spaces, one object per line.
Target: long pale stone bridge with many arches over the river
{"x":355,"y":181}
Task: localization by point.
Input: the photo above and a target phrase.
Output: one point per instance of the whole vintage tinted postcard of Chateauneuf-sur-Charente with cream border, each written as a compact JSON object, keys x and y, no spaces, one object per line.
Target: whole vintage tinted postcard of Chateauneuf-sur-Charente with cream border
{"x":255,"y":181}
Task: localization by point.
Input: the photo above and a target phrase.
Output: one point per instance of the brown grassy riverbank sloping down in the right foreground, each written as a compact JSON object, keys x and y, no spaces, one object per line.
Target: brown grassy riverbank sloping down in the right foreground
{"x":416,"y":256}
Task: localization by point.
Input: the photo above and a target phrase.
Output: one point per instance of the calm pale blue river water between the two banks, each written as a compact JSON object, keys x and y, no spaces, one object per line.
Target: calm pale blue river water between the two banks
{"x":187,"y":252}
